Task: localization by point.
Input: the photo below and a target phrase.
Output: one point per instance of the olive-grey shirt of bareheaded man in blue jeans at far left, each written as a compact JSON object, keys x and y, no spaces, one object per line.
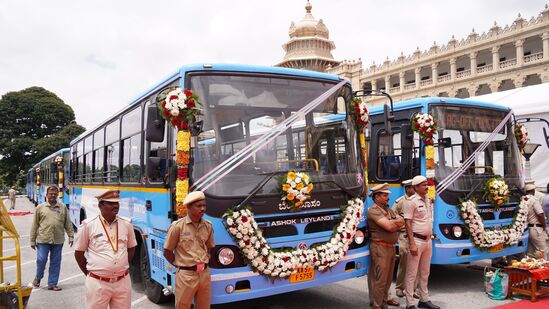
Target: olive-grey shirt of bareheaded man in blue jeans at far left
{"x":50,"y":224}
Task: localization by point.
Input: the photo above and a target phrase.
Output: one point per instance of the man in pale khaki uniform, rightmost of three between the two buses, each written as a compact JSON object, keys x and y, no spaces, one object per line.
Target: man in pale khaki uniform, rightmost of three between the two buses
{"x":418,"y":214}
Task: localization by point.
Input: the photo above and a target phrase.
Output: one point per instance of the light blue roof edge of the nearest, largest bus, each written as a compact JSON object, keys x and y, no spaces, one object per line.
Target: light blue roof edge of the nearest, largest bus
{"x":219,"y":68}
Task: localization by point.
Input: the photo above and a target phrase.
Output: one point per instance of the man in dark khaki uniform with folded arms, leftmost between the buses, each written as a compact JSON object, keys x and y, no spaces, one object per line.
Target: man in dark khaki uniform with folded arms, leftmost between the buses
{"x":384,"y":225}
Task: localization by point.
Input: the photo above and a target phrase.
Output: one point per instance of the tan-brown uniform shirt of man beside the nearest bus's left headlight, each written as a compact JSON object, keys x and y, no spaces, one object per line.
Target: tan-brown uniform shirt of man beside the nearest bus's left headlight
{"x":191,"y":241}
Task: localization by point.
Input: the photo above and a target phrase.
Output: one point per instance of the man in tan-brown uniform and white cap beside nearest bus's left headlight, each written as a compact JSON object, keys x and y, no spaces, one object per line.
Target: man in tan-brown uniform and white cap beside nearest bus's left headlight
{"x":191,"y":237}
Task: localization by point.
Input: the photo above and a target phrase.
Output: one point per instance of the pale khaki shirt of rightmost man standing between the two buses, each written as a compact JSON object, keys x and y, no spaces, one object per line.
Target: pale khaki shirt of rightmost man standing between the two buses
{"x":420,"y":211}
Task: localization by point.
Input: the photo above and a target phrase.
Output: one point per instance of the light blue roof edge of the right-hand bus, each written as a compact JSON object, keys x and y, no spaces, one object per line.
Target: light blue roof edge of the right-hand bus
{"x":423,"y":102}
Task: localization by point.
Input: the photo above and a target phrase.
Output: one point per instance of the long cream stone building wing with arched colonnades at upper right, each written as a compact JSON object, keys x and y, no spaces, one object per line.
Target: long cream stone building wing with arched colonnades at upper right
{"x":497,"y":60}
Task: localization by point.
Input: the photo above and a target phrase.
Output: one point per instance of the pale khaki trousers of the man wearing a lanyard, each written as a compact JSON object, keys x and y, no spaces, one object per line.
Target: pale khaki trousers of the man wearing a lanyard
{"x":115,"y":295}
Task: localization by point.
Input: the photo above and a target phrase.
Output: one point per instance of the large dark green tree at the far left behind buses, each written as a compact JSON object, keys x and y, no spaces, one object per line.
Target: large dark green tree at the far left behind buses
{"x":34,"y":123}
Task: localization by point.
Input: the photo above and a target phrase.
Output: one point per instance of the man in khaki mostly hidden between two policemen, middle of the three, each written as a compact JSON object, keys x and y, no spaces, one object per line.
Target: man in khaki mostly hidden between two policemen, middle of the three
{"x":402,"y":237}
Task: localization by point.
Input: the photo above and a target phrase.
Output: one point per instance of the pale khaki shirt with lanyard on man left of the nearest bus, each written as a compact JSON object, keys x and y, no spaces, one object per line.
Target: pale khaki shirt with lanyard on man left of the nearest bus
{"x":102,"y":259}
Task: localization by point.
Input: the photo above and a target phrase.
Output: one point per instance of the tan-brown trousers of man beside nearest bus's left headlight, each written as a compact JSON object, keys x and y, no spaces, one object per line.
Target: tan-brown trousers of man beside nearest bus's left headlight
{"x":191,"y":285}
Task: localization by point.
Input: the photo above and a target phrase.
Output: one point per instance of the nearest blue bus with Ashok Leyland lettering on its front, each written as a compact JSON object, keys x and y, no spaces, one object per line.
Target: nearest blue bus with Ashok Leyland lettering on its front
{"x":238,"y":102}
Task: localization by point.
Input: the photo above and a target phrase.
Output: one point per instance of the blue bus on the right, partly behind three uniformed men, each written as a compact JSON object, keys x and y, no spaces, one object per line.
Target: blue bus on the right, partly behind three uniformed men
{"x":463,"y":126}
